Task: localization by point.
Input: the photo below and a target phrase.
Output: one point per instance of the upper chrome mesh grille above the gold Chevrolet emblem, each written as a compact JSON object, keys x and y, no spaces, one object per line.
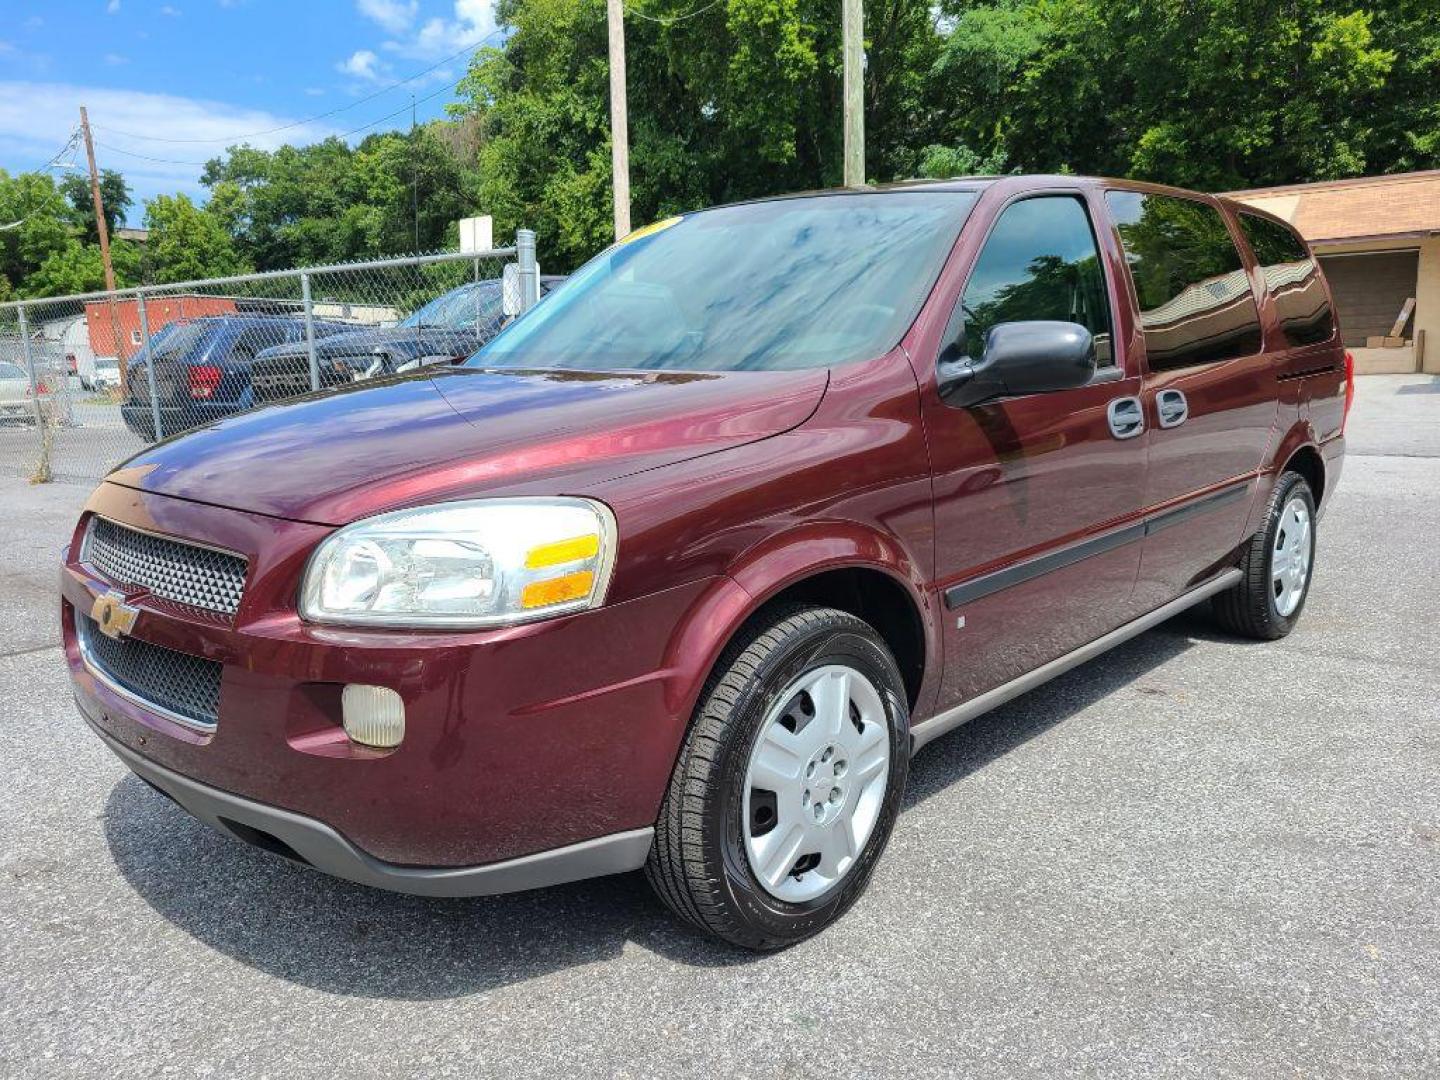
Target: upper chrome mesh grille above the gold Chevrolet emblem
{"x":172,"y":570}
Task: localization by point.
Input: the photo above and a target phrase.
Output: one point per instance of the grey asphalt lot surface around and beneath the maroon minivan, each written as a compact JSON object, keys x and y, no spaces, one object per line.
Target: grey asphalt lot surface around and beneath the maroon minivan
{"x":1192,"y":858}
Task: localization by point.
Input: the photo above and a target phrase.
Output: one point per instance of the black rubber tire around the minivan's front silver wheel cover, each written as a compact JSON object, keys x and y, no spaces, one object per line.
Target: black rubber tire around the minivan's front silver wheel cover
{"x":699,"y":863}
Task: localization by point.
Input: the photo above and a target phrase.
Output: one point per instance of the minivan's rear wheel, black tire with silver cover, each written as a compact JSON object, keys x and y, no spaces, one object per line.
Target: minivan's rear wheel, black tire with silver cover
{"x":1278,"y":565}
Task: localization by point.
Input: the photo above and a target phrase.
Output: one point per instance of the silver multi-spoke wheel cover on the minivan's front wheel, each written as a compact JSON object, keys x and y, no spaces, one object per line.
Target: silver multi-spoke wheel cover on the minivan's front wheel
{"x":816,"y":783}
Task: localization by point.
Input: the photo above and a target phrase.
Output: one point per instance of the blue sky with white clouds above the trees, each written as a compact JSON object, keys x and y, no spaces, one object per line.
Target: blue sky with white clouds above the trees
{"x":169,"y":86}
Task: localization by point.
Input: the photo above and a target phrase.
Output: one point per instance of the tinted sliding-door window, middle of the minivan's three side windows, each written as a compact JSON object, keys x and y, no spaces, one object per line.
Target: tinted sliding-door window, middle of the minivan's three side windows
{"x":1193,"y":289}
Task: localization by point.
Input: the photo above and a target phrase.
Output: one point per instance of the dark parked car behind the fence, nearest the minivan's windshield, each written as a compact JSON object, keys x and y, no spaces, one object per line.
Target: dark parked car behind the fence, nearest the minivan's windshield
{"x":446,"y":330}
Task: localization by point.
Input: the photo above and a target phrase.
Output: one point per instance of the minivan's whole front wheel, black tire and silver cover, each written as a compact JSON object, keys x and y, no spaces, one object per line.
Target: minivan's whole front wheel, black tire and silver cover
{"x":788,"y":784}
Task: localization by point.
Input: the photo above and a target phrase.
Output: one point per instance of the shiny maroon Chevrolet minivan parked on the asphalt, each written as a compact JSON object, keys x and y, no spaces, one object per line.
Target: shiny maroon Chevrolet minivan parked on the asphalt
{"x":680,"y":570}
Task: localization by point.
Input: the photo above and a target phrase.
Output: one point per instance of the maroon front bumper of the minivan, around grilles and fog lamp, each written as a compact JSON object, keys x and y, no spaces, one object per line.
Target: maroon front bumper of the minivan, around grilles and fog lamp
{"x":519,"y":741}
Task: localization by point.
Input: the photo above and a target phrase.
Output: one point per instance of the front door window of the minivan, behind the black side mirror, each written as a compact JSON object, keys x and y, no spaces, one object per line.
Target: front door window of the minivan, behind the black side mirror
{"x":1040,"y":261}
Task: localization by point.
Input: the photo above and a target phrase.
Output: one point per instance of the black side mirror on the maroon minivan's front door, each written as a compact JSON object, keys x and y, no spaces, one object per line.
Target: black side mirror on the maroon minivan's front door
{"x":1035,"y":356}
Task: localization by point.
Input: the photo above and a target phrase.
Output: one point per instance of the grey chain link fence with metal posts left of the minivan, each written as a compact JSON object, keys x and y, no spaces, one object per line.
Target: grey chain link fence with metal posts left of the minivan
{"x":90,"y":381}
